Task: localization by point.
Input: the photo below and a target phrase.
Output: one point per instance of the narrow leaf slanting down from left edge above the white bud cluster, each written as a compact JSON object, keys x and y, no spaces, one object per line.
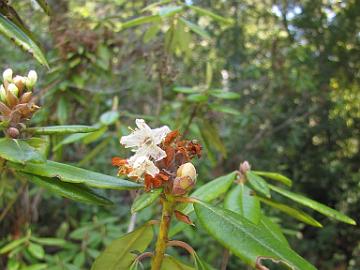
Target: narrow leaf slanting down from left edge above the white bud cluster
{"x":15,"y":34}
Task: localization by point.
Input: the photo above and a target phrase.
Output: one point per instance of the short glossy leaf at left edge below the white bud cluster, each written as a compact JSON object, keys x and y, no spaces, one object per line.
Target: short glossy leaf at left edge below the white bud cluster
{"x":19,"y":151}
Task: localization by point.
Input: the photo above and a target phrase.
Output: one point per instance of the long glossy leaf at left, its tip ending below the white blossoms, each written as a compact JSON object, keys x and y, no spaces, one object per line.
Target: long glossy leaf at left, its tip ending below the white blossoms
{"x":71,"y":174}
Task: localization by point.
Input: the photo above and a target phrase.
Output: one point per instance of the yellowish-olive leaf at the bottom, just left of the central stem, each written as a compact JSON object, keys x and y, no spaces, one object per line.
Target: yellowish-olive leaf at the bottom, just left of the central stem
{"x":119,"y":254}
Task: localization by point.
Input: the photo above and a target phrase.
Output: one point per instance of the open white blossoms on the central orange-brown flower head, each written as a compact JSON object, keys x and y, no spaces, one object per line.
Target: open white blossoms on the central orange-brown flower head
{"x":145,"y":142}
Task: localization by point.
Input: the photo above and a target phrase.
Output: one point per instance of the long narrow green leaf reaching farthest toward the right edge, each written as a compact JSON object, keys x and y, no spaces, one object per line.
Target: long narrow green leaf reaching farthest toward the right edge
{"x":321,"y":208}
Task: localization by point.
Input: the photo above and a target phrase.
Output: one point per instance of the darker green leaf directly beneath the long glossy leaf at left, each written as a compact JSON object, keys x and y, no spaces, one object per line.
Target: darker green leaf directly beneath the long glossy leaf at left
{"x":76,"y":192}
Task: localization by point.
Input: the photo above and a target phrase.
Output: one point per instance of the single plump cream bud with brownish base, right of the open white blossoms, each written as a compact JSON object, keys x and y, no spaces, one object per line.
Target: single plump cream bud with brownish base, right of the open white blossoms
{"x":185,"y":179}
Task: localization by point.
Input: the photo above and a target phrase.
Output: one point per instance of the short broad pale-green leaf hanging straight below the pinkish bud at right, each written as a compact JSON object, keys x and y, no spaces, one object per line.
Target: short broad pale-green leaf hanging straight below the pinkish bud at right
{"x":241,"y":201}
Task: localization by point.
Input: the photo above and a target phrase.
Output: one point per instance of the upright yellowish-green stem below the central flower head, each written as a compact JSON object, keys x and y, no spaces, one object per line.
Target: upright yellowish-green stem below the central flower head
{"x":167,"y":212}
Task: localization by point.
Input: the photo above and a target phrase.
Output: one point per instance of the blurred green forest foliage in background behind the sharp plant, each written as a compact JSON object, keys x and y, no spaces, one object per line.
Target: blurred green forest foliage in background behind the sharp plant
{"x":272,"y":82}
